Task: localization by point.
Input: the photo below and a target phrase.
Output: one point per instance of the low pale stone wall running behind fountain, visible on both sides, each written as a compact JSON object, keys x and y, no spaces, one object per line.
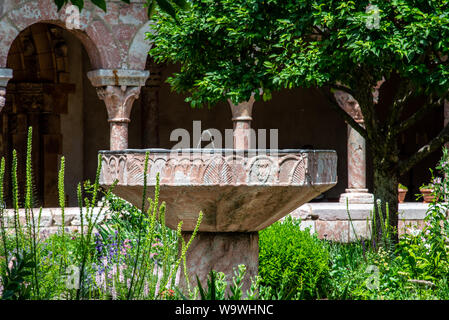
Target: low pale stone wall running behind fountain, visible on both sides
{"x":328,"y":219}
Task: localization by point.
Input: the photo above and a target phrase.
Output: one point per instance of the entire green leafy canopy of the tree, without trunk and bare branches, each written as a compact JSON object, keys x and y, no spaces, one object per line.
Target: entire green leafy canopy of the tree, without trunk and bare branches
{"x":231,"y":48}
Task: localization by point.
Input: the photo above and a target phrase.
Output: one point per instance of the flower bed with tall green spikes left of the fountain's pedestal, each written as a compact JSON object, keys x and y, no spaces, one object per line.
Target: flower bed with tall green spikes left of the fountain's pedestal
{"x":136,"y":258}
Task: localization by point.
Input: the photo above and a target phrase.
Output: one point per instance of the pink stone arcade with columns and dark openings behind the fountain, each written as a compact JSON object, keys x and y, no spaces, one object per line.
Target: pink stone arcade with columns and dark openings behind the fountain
{"x":95,"y":88}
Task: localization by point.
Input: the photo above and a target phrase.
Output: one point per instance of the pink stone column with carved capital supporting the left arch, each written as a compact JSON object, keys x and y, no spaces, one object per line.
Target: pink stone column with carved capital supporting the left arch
{"x":118,"y":89}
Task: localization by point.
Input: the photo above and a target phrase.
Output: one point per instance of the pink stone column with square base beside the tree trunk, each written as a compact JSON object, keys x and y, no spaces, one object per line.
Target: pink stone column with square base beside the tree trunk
{"x":356,"y":191}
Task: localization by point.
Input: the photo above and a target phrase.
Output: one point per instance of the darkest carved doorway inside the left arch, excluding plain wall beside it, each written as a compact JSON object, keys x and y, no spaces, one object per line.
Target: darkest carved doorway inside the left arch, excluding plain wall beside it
{"x":37,"y":96}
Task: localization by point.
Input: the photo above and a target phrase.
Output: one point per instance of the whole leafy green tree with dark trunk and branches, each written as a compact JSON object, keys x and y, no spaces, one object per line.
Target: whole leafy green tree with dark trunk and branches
{"x":385,"y":54}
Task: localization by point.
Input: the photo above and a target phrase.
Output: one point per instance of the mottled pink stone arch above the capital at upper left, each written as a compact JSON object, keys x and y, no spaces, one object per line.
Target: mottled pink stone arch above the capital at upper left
{"x":107,"y":37}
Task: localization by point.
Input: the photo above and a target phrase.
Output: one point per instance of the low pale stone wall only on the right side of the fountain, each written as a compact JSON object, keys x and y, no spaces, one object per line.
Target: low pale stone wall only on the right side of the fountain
{"x":330,"y":220}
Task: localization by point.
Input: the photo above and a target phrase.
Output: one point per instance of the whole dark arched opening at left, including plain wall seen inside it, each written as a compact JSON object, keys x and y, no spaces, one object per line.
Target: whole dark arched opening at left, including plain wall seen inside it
{"x":50,"y":92}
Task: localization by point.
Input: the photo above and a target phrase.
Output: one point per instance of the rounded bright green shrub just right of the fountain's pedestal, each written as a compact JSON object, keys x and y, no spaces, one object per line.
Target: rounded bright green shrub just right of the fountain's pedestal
{"x":292,"y":259}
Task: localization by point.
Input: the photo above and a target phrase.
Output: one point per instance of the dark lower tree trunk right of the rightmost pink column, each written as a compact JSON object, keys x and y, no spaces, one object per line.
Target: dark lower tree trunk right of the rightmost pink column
{"x":386,"y":179}
